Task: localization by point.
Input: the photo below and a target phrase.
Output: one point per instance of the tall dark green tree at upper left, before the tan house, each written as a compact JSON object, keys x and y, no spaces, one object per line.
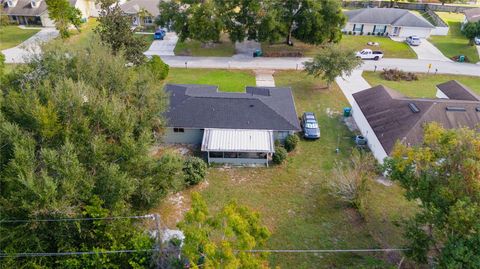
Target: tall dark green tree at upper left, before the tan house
{"x":114,"y":30}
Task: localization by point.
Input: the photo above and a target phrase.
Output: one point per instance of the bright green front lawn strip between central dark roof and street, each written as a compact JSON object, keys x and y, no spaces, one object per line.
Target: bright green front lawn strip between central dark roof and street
{"x":227,"y":80}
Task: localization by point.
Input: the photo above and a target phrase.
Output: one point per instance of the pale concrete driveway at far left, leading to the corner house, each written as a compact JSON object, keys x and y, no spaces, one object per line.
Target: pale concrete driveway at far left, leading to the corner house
{"x":27,"y":48}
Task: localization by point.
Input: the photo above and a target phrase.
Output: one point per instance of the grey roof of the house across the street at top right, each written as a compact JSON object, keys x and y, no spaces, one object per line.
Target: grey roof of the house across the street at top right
{"x":389,"y":16}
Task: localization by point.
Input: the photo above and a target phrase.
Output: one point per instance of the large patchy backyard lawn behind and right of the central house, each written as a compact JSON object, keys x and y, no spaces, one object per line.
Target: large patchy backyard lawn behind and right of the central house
{"x":292,"y":198}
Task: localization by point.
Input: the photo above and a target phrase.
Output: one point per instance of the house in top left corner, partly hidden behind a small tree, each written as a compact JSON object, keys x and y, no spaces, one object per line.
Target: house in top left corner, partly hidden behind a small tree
{"x":34,"y":12}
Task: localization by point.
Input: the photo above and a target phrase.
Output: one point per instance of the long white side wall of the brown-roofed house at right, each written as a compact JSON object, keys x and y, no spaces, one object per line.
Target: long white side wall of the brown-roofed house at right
{"x":367,"y":131}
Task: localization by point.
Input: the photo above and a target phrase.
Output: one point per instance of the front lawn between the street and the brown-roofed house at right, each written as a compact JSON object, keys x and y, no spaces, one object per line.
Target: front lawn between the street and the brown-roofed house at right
{"x":424,"y":86}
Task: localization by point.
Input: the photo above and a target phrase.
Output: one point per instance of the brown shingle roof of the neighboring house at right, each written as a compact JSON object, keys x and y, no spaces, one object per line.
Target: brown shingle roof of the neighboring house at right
{"x":393,"y":120}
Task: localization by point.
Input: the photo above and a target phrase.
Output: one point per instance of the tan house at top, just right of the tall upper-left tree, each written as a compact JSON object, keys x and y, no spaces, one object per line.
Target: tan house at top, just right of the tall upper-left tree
{"x":133,"y":8}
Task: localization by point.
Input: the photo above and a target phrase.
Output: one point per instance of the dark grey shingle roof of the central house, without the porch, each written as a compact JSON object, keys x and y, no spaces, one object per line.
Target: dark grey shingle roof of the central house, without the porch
{"x":203,"y":106}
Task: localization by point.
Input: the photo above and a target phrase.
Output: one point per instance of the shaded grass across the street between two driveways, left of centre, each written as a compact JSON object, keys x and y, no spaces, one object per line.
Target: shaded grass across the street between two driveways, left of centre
{"x":195,"y":48}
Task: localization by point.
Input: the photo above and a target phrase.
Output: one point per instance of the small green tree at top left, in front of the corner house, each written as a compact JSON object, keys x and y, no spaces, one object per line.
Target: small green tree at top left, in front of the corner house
{"x":64,"y":15}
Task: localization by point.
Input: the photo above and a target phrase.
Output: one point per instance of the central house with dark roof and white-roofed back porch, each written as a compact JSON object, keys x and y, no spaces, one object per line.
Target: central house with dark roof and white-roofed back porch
{"x":236,"y":128}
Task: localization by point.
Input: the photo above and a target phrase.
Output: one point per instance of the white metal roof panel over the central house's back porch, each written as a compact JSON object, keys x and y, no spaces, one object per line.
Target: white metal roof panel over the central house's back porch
{"x":238,"y":140}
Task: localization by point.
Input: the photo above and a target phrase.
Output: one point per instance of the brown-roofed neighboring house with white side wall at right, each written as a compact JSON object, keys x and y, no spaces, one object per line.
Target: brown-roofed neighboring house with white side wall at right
{"x":385,"y":116}
